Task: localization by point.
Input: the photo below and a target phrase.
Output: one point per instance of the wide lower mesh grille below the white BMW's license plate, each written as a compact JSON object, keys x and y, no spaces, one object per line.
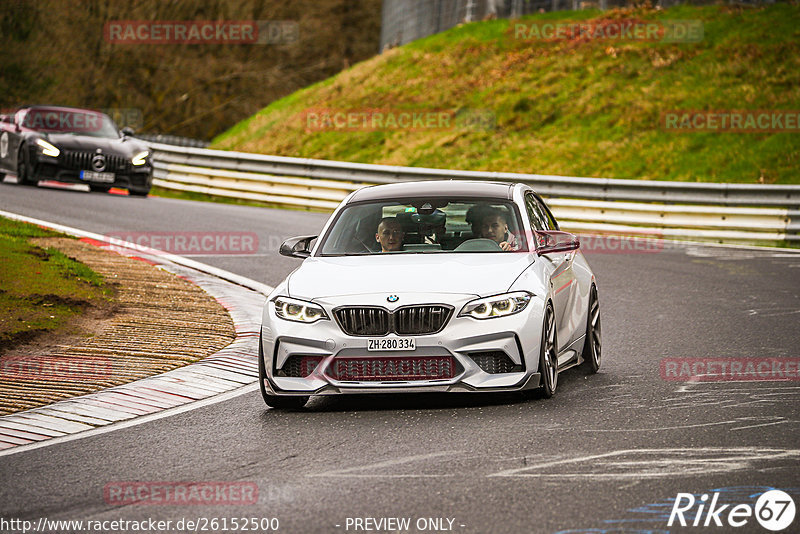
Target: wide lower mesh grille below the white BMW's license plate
{"x":385,"y":369}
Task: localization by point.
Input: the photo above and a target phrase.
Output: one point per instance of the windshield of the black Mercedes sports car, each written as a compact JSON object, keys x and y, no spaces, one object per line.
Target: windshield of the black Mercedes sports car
{"x":67,"y":121}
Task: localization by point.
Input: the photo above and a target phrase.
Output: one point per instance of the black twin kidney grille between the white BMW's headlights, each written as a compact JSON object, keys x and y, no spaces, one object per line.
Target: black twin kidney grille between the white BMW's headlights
{"x":408,"y":320}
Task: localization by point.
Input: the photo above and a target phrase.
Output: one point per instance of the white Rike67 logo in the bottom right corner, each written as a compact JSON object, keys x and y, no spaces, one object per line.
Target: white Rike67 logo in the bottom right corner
{"x":774,"y":510}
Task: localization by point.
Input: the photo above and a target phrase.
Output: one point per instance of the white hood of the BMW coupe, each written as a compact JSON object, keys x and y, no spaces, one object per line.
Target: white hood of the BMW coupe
{"x":476,"y":274}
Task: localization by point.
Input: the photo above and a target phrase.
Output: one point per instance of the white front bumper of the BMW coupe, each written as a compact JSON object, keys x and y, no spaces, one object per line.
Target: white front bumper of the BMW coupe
{"x":517,"y":336}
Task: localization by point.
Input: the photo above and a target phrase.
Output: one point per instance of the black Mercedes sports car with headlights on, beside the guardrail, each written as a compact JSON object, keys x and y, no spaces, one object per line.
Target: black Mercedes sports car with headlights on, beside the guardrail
{"x":75,"y":146}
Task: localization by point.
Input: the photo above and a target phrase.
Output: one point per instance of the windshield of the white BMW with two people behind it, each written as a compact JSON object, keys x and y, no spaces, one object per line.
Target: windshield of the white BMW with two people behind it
{"x":425,"y":225}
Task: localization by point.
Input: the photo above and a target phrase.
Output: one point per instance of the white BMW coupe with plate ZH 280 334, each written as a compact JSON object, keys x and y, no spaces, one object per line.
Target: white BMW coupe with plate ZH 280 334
{"x":448,"y":286}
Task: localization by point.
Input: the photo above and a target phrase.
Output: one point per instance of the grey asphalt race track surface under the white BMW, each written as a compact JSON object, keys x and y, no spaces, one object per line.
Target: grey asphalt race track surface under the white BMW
{"x":609,"y":453}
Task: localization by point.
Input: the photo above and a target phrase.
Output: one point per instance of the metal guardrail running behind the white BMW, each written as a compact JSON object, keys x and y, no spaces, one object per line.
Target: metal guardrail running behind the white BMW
{"x":710,"y":211}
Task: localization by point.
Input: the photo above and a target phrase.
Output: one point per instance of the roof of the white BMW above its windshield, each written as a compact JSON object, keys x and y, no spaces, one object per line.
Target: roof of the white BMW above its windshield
{"x":465,"y":188}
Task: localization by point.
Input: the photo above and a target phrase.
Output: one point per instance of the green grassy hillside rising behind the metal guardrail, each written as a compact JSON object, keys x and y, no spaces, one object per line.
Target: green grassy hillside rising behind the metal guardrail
{"x":573,"y":107}
